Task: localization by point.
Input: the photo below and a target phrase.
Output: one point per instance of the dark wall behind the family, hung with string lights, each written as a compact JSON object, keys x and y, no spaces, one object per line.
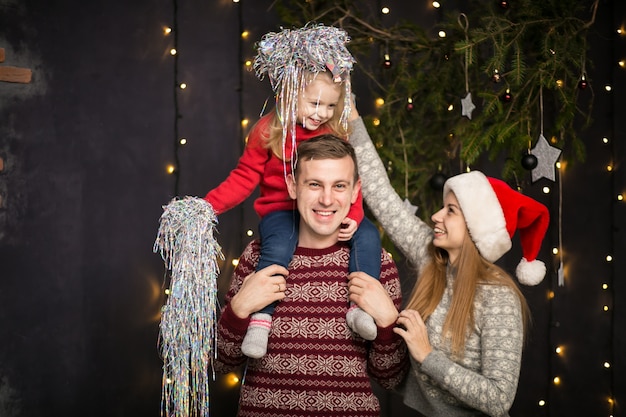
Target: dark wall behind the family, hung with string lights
{"x":85,"y":146}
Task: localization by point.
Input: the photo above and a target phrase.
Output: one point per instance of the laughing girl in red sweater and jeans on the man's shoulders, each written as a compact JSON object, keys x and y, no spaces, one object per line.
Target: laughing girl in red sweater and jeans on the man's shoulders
{"x":309,"y":72}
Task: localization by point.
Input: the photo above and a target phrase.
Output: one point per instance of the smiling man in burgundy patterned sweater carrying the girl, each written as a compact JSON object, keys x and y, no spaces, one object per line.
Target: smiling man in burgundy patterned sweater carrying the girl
{"x":315,"y":365}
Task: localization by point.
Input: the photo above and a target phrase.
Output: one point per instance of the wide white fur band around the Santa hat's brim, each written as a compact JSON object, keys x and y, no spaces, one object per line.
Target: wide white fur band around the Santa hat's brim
{"x":483,"y":214}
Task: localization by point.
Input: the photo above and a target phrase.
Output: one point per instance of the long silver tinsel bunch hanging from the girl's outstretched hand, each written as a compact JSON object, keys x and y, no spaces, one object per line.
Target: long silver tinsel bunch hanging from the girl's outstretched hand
{"x":187,"y":245}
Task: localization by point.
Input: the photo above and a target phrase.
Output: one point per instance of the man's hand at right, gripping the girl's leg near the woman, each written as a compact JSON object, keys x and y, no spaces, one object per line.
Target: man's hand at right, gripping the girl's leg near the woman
{"x":369,"y":294}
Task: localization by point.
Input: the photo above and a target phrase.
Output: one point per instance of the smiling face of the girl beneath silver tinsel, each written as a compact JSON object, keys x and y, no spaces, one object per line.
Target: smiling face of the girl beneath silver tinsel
{"x":318,"y":101}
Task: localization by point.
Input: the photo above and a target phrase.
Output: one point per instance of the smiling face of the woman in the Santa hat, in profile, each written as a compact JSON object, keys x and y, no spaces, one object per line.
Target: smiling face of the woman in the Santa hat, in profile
{"x":449,"y":227}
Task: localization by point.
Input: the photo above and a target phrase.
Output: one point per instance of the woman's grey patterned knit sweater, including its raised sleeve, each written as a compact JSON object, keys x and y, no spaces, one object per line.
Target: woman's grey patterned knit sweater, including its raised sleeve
{"x":484,"y":381}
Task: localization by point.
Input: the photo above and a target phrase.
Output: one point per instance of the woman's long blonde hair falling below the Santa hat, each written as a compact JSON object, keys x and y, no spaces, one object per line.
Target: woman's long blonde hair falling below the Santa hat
{"x":471,"y":270}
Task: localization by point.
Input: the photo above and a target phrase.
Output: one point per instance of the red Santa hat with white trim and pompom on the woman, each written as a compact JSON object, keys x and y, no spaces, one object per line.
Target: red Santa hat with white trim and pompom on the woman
{"x":493,"y":212}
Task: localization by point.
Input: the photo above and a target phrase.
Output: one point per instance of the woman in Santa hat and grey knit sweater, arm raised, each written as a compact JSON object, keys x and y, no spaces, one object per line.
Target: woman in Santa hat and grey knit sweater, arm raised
{"x":465,"y":320}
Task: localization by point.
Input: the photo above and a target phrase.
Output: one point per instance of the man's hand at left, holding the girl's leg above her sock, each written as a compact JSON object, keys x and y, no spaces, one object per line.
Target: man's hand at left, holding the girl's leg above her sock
{"x":259,"y":290}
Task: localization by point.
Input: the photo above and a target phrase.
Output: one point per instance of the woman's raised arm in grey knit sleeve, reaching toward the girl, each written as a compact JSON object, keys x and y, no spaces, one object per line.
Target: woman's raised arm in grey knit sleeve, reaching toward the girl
{"x":407,"y":231}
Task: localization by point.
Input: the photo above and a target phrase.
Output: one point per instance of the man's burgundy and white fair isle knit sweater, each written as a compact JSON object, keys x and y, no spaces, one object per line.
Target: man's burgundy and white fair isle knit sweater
{"x":315,"y":365}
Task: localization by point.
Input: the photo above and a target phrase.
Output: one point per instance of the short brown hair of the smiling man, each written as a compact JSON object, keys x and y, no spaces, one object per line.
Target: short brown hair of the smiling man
{"x":326,"y":146}
